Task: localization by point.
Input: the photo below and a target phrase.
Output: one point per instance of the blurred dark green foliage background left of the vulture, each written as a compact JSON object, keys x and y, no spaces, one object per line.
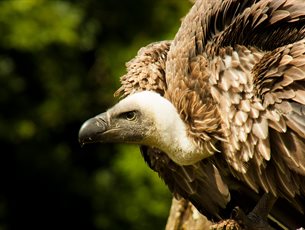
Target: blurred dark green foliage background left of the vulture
{"x":60,"y":62}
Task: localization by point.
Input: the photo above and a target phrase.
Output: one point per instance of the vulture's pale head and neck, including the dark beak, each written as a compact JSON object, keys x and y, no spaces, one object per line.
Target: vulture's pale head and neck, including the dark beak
{"x":145,"y":118}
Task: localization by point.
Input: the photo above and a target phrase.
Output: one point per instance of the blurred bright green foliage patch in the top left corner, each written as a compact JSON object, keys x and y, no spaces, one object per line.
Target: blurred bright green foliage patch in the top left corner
{"x":33,"y":24}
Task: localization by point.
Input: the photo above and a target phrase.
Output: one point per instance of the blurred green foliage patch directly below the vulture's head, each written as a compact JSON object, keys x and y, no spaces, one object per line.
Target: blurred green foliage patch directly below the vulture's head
{"x":144,"y":206}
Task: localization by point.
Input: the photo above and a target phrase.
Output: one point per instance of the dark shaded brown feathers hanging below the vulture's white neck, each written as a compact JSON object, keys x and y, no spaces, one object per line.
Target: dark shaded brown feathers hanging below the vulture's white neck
{"x":200,"y":183}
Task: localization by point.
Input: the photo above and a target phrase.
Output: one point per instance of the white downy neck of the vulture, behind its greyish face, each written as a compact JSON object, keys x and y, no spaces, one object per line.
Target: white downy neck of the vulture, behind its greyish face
{"x":170,"y":133}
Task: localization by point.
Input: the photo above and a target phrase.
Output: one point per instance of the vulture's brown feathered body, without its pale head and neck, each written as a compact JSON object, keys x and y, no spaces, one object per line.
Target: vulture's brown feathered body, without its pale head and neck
{"x":235,"y":72}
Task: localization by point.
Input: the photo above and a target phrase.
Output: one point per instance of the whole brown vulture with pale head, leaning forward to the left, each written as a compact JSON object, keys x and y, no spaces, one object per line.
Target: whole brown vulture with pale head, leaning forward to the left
{"x":219,"y":111}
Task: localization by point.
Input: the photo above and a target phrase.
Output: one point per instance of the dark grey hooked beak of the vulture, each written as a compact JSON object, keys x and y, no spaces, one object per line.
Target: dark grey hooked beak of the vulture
{"x":92,"y":129}
